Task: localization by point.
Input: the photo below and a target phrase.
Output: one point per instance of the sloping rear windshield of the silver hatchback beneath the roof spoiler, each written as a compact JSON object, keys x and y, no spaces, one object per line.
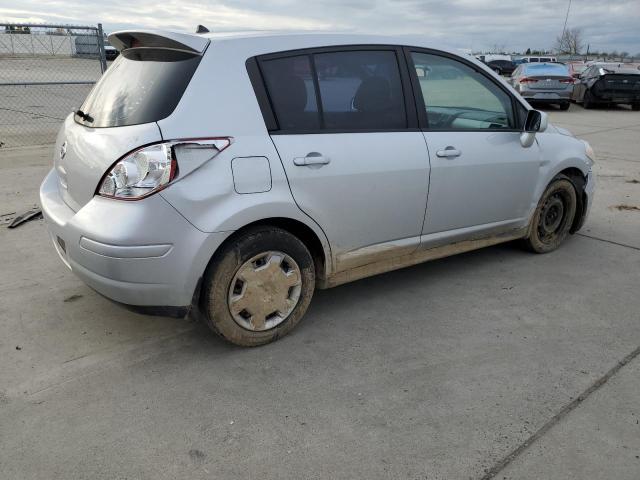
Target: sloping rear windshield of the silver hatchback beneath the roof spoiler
{"x":140,"y":86}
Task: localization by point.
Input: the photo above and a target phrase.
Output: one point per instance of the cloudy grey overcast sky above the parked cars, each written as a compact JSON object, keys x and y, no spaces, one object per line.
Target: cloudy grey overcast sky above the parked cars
{"x":470,"y":24}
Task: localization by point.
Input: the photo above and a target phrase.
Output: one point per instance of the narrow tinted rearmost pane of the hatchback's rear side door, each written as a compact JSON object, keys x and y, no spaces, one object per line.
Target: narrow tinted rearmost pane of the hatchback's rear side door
{"x":290,"y":85}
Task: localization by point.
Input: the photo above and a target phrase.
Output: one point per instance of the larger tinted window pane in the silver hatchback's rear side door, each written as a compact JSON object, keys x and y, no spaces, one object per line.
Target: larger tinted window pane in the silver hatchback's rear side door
{"x":360,"y":90}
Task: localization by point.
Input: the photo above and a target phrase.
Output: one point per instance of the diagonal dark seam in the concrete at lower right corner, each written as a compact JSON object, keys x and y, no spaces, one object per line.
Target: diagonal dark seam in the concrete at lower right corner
{"x":564,"y":411}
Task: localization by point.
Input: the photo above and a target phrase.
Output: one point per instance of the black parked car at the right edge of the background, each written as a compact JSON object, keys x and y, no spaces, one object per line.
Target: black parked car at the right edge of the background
{"x":608,"y":84}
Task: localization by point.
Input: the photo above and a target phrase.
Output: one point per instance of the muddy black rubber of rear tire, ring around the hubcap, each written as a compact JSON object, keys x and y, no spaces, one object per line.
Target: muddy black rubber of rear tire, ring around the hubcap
{"x":227,"y":263}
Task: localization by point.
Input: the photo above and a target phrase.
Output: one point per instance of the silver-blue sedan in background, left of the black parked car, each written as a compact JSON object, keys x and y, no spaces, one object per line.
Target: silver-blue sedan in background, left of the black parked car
{"x":548,"y":83}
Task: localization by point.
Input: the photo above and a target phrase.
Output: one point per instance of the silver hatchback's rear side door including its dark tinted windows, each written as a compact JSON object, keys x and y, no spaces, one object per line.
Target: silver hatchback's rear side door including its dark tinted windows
{"x":348,"y":139}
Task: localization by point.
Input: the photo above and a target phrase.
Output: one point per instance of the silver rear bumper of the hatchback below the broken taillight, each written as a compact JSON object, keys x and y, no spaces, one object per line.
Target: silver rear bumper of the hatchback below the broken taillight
{"x":140,"y":253}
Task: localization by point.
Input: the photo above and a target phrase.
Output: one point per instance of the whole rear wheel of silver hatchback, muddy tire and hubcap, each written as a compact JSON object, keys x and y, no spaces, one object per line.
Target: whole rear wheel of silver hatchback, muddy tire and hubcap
{"x":271,"y":259}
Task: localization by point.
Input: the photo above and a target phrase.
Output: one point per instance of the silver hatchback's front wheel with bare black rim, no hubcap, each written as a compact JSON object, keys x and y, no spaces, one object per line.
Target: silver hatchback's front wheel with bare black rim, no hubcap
{"x":553,"y":216}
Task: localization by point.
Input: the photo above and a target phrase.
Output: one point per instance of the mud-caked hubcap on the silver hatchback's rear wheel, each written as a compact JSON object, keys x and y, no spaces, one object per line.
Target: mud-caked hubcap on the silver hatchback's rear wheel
{"x":264,"y":291}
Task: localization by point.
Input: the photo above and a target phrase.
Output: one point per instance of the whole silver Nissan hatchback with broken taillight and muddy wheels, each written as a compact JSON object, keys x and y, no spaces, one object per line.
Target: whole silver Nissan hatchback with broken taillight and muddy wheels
{"x":238,"y":174}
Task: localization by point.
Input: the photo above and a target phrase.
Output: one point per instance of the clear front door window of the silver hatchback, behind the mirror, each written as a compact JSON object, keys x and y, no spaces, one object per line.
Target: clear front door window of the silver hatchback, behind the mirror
{"x":457,"y":97}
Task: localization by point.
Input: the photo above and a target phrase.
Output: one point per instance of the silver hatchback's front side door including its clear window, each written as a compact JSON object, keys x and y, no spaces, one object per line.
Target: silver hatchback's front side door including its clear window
{"x":482,"y":179}
